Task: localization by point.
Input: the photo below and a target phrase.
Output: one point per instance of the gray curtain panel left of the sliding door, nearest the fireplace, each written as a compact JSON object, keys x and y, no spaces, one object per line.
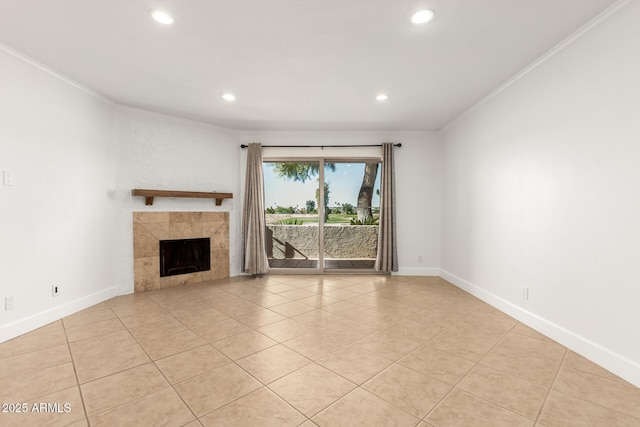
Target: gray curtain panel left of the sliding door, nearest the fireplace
{"x":253,"y":226}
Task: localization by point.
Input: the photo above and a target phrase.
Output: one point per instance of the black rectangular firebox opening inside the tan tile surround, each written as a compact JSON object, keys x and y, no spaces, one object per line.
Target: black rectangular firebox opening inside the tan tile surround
{"x":182,"y":256}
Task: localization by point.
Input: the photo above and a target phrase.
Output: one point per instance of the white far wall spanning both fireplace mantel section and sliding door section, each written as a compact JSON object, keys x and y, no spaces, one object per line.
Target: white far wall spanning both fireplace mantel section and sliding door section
{"x":163,"y":152}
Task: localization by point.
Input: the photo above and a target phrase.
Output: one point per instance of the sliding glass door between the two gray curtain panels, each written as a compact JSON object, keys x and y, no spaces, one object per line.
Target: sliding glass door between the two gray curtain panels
{"x":321,"y":214}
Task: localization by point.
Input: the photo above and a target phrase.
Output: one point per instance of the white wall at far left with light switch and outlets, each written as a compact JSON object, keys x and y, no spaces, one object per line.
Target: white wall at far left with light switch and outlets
{"x":56,"y":221}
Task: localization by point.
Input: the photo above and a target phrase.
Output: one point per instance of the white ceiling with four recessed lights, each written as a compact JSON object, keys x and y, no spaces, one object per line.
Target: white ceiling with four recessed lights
{"x":294,"y":64}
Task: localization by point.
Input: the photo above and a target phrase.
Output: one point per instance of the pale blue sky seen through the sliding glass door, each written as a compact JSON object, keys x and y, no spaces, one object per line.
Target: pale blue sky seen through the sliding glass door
{"x":344,"y":185}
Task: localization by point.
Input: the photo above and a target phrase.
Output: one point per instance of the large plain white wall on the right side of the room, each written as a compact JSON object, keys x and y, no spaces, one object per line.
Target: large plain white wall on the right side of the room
{"x":542,"y":191}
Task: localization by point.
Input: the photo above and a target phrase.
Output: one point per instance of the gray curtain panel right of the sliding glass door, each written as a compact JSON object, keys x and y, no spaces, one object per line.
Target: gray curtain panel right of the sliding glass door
{"x":387,"y":259}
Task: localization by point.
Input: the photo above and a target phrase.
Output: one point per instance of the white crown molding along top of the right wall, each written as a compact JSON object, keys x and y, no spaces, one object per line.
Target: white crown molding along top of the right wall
{"x":604,"y":18}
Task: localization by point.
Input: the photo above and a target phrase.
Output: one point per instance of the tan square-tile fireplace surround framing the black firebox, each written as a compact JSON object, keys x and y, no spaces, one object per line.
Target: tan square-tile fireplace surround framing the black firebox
{"x":151,"y":227}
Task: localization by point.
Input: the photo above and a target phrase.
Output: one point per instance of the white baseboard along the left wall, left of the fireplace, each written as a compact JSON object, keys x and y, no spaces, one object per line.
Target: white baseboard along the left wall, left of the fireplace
{"x":37,"y":320}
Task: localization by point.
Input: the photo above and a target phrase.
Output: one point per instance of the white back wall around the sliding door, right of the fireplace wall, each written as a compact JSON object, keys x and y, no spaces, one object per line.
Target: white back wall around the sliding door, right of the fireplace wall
{"x":419,"y":174}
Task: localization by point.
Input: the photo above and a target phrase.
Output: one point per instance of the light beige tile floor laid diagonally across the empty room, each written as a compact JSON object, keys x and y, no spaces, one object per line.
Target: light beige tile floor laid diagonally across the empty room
{"x":304,"y":350}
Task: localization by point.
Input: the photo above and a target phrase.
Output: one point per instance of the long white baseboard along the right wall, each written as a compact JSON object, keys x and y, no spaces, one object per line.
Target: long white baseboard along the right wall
{"x":623,"y":367}
